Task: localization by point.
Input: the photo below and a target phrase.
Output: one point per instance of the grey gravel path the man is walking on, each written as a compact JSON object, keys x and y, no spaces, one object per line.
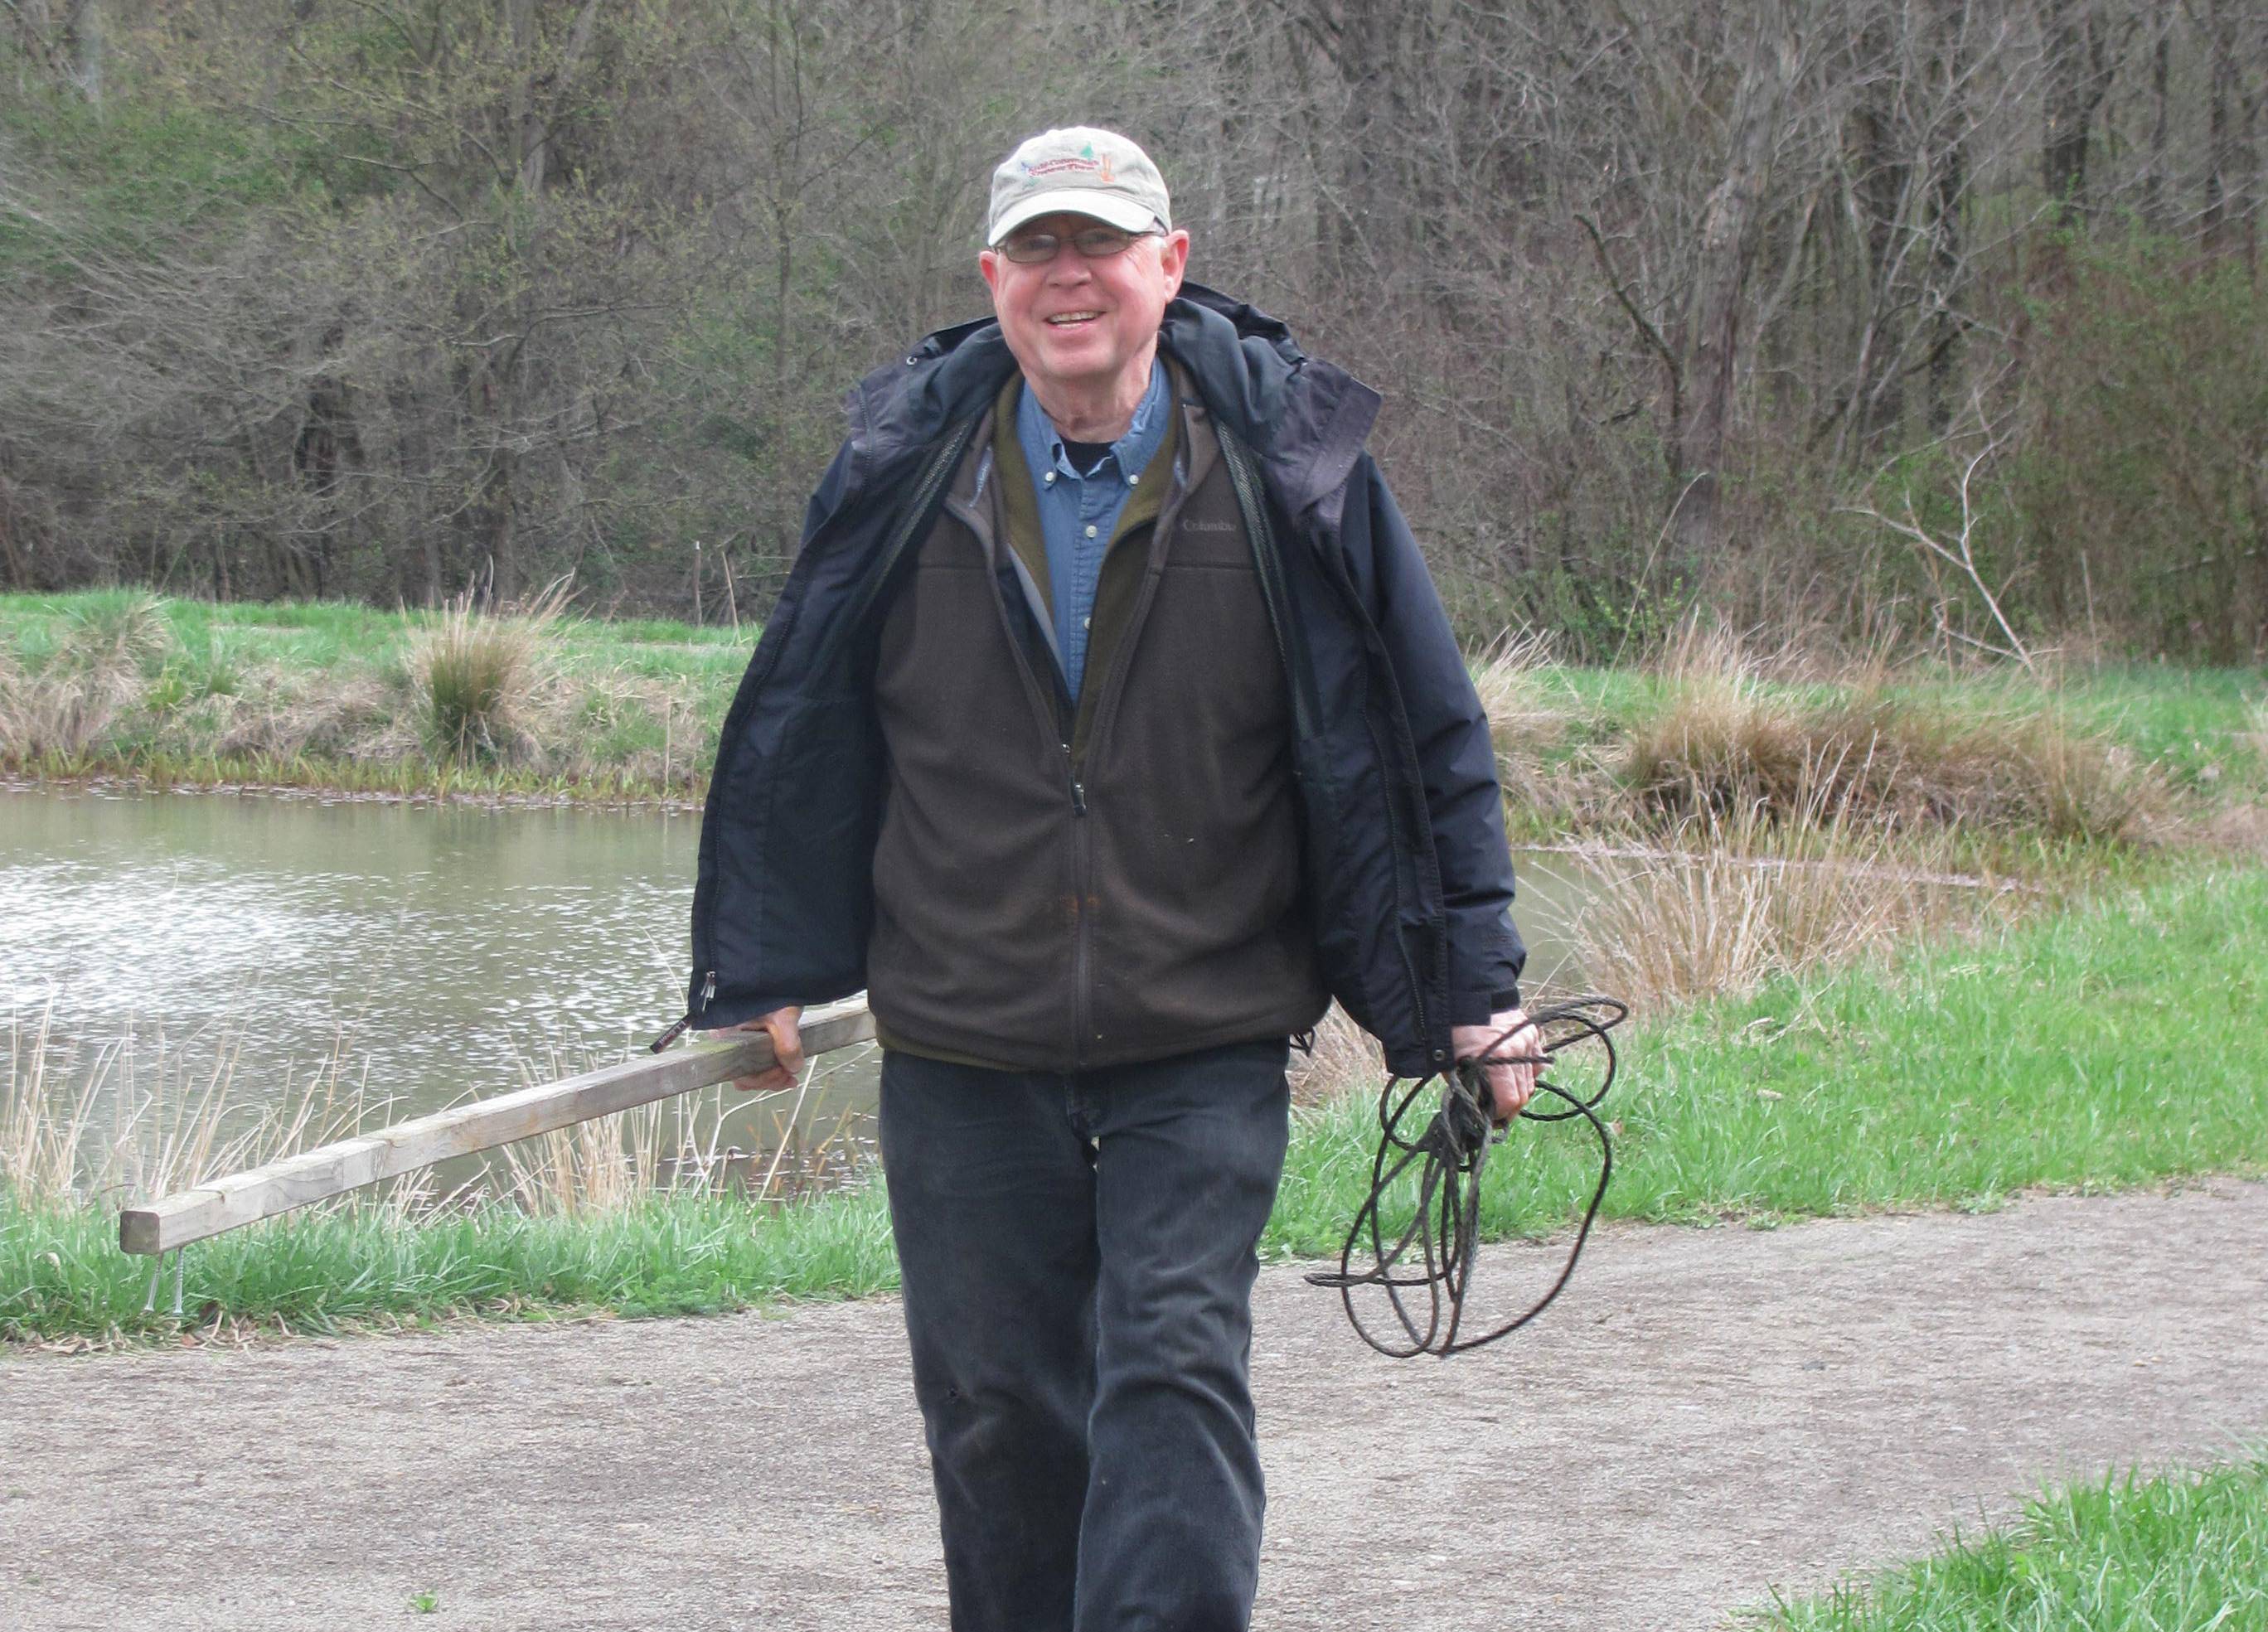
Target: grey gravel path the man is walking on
{"x":1702,"y":1418}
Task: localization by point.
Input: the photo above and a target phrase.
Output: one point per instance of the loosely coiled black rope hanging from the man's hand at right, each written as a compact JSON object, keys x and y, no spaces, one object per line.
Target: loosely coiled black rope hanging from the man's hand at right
{"x":1450,"y":1155}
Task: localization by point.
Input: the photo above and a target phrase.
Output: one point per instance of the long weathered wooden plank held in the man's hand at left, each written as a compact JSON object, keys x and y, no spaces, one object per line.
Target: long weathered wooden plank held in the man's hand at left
{"x":330,"y":1171}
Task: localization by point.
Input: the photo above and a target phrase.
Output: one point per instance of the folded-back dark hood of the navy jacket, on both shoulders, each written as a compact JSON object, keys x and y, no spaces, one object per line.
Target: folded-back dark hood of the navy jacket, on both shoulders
{"x":1305,"y":418}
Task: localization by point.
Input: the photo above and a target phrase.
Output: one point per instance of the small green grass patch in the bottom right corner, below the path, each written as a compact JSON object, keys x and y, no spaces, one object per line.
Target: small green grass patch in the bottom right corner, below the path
{"x":2172,"y":1554}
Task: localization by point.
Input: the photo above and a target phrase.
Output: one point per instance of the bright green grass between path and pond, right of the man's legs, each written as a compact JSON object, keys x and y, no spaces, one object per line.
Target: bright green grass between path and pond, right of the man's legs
{"x":2113,"y":1046}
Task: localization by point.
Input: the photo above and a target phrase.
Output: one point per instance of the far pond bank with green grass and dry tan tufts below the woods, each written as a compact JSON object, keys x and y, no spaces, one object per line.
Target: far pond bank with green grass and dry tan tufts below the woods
{"x":627,"y":713}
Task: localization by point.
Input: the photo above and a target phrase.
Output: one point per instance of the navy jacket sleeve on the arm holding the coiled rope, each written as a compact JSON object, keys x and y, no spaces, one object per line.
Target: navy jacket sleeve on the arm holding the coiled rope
{"x":1455,"y":756}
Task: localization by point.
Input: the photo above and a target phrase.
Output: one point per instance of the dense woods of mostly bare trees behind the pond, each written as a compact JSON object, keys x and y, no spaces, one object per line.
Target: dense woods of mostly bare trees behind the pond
{"x":1936,"y":318}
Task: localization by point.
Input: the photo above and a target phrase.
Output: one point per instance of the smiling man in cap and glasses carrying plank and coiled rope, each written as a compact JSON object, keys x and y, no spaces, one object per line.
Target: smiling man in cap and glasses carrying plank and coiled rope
{"x":1106,"y":731}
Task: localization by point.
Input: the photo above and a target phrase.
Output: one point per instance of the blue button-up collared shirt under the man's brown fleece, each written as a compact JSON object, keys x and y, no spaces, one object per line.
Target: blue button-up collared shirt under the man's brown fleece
{"x":1078,"y":511}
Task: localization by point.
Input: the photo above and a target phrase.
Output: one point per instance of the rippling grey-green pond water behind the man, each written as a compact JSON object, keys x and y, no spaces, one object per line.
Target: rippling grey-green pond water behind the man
{"x":437,"y":953}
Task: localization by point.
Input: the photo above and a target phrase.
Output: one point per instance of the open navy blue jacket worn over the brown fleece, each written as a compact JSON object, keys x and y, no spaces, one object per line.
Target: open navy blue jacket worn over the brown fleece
{"x":1407,"y":872}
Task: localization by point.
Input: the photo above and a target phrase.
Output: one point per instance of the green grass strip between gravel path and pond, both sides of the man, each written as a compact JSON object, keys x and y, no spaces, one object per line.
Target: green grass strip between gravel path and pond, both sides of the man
{"x":2113,"y":1046}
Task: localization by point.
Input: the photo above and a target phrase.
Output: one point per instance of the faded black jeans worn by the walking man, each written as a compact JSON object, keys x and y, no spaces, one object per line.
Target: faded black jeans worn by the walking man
{"x":1078,"y":1261}
